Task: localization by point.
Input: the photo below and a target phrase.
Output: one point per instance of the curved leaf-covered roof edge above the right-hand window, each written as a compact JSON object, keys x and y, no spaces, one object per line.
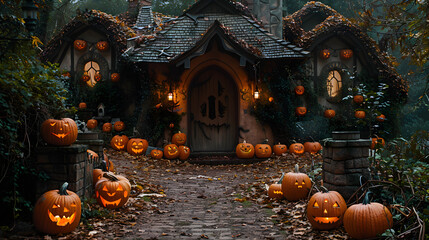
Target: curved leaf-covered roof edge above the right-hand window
{"x":336,"y":24}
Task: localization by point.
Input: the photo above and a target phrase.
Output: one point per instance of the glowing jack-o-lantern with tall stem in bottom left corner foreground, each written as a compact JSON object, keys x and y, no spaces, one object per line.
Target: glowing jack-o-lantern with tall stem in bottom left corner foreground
{"x":57,"y":211}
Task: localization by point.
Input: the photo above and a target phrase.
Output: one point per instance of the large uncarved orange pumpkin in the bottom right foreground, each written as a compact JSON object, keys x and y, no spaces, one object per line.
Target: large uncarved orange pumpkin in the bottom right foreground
{"x":367,"y":220}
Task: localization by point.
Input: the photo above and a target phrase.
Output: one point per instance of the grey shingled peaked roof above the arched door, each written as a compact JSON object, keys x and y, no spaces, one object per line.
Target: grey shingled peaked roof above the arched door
{"x":232,"y":22}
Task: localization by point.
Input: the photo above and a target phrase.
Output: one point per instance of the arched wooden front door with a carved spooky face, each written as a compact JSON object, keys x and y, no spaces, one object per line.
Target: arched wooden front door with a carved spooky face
{"x":213,"y":105}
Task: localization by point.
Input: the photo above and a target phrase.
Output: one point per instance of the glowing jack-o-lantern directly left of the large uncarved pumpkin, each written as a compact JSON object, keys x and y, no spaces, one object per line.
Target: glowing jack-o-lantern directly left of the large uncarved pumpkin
{"x":325,"y":210}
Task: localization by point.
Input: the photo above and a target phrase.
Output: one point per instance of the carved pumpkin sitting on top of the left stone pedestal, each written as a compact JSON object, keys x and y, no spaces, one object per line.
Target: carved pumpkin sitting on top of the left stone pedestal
{"x":59,"y":132}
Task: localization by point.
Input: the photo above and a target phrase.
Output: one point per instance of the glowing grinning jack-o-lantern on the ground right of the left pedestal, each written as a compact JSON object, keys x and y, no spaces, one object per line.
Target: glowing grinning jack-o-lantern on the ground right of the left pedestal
{"x":112,"y":191}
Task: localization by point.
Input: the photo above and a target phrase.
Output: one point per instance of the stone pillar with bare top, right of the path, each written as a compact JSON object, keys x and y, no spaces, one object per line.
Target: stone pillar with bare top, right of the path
{"x":345,"y":160}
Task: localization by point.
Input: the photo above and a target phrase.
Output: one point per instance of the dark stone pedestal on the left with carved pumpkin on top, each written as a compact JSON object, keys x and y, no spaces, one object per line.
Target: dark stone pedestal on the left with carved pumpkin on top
{"x":65,"y":164}
